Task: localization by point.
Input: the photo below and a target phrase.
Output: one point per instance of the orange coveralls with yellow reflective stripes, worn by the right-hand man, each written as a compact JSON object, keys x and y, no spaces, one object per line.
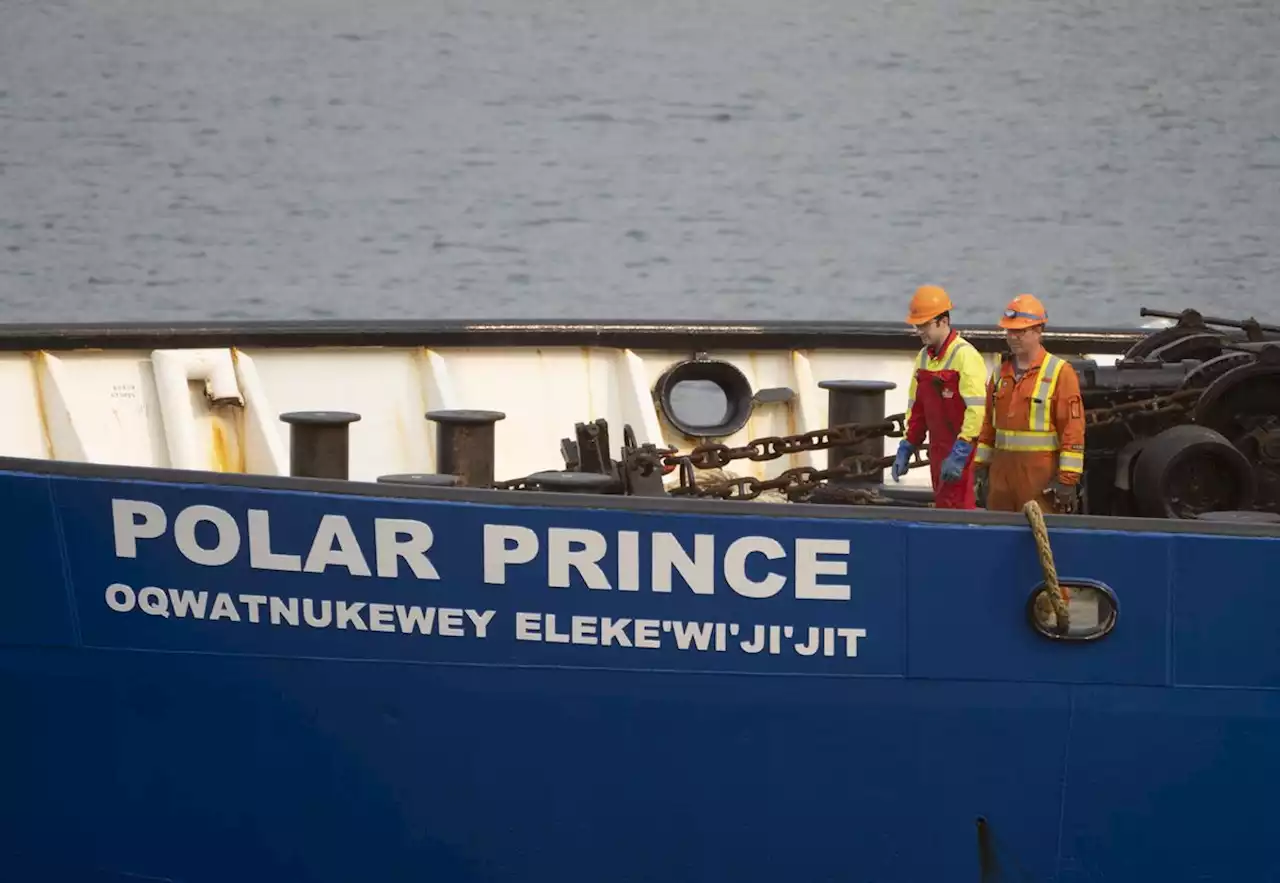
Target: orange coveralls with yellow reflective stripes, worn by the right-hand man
{"x":1034,"y":432}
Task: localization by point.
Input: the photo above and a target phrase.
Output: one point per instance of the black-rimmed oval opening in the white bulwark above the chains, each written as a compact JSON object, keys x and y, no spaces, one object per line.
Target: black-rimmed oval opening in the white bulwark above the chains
{"x":705,"y":399}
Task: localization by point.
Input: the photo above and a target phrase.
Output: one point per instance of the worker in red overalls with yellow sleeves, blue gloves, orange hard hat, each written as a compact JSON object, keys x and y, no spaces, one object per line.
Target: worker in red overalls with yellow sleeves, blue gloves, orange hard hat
{"x":945,"y":401}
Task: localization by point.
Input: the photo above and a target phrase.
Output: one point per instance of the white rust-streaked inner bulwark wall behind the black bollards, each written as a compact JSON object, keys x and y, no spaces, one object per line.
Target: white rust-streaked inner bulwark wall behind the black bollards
{"x":218,"y":409}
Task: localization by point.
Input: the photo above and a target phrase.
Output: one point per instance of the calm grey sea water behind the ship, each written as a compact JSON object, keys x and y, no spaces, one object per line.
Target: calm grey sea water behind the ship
{"x":589,"y":159}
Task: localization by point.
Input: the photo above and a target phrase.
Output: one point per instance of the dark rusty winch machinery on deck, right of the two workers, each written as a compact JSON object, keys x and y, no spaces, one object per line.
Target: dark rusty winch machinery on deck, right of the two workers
{"x":1187,"y":422}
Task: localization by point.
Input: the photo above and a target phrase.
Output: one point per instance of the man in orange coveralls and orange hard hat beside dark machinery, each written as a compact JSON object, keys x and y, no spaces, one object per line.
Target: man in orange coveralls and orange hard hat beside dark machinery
{"x":1032,"y":442}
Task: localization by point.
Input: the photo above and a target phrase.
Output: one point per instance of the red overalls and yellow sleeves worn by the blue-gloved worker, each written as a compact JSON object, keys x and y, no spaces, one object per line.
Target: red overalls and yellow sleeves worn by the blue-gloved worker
{"x":948,"y":400}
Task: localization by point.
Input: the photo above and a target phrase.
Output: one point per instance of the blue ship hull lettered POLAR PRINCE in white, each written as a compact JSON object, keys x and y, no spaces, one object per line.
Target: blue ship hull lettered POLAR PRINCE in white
{"x":208,"y":679}
